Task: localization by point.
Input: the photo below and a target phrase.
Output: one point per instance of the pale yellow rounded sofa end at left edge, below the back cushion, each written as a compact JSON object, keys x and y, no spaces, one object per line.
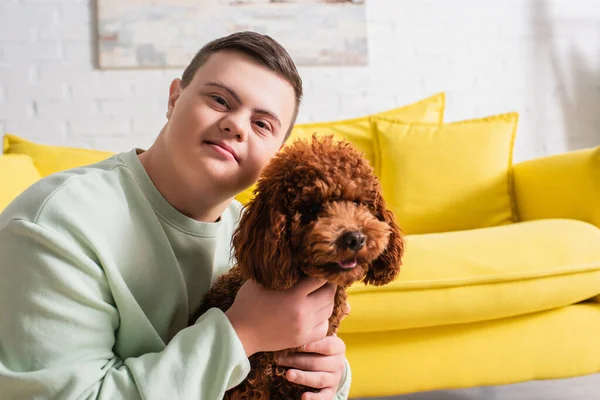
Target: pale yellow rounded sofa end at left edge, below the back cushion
{"x":17,"y":173}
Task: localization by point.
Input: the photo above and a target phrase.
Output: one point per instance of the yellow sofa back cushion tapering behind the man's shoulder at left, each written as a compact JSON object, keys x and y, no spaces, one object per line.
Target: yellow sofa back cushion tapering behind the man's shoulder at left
{"x":50,"y":159}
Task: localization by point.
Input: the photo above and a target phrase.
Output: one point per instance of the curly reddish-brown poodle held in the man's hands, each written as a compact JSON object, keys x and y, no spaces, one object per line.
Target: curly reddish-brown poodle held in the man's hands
{"x":318,"y":210}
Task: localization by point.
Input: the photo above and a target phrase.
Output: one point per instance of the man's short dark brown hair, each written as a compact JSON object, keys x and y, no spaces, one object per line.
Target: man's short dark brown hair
{"x":261,"y":48}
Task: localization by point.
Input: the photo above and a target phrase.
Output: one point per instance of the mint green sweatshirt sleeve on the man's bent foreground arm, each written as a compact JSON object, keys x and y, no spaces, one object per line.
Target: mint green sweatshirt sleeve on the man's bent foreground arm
{"x":60,"y":324}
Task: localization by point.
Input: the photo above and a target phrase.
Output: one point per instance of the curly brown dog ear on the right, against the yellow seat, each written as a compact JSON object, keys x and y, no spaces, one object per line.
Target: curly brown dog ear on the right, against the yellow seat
{"x":386,"y":267}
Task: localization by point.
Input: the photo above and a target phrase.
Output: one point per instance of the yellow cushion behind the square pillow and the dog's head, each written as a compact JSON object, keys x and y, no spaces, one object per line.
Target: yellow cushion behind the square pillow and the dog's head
{"x":359,"y":132}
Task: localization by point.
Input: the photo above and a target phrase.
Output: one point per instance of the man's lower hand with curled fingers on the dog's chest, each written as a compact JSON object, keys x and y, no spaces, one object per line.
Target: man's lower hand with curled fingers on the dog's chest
{"x":320,"y":366}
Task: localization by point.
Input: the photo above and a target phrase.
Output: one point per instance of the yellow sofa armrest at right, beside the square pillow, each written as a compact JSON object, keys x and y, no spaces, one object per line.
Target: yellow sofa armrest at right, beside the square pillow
{"x":560,"y":186}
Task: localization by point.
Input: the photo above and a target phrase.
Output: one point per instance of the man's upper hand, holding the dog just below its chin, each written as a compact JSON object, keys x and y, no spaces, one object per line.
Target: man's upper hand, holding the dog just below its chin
{"x":268,"y":320}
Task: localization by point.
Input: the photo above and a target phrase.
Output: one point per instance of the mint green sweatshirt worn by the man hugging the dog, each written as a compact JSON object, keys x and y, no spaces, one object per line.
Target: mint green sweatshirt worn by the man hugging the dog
{"x":98,"y":273}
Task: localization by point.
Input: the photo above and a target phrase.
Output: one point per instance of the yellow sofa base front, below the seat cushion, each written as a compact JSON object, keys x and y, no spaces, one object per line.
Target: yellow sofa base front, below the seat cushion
{"x":547,"y":345}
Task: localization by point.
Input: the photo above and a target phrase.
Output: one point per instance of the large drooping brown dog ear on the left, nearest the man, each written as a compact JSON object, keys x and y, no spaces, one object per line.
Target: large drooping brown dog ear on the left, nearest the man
{"x":262,"y":247}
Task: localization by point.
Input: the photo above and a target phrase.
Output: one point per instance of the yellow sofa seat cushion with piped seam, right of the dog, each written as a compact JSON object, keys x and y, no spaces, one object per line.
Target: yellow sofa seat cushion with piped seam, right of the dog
{"x":482,"y":274}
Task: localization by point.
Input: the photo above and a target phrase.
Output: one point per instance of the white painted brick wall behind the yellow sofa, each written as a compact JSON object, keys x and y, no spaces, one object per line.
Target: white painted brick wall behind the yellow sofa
{"x":537,"y":57}
